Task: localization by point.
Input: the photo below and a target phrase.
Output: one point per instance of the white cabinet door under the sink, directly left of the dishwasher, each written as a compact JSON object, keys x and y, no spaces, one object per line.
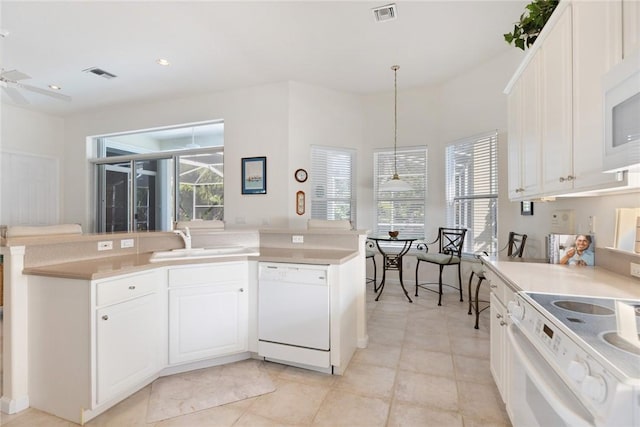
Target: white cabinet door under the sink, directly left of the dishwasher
{"x":207,"y":321}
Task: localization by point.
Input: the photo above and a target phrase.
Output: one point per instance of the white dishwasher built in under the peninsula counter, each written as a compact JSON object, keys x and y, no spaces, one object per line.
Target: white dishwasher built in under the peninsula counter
{"x":293,"y":314}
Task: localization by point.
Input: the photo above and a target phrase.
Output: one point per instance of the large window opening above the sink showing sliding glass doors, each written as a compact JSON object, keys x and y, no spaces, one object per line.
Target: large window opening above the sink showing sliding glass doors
{"x":146,"y":180}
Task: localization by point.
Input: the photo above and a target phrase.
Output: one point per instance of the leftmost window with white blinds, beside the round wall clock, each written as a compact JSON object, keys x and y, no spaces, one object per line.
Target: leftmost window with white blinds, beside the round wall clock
{"x":333,"y":193}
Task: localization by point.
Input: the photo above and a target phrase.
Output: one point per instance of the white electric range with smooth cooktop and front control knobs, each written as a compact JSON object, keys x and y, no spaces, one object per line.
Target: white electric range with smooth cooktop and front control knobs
{"x":565,"y":366}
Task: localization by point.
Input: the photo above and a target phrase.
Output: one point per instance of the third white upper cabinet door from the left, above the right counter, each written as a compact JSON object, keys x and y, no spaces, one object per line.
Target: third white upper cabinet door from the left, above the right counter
{"x":557,"y":137}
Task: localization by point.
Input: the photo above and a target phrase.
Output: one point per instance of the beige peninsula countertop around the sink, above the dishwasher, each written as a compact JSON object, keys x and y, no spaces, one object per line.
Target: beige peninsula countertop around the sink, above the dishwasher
{"x":101,"y":268}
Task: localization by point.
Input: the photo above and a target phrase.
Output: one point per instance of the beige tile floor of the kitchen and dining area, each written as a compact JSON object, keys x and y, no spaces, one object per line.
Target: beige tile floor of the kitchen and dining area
{"x":425,"y":366}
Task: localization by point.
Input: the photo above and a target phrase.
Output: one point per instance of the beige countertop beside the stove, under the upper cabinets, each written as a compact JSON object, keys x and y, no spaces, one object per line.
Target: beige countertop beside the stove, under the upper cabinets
{"x":565,"y":279}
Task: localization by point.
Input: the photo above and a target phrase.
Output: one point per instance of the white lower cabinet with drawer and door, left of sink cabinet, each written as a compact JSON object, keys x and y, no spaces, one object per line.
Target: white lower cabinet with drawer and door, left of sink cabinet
{"x":93,"y":343}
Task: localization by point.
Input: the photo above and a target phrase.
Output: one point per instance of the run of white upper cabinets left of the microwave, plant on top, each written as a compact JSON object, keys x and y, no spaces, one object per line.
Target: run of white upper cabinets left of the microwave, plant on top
{"x":581,"y":41}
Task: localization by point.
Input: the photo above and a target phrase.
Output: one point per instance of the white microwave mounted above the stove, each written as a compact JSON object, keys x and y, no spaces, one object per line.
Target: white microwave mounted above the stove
{"x":622,"y":116}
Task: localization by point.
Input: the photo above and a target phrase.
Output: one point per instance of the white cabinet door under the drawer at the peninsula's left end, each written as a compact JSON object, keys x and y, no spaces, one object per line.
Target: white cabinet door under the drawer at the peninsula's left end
{"x":128,"y":345}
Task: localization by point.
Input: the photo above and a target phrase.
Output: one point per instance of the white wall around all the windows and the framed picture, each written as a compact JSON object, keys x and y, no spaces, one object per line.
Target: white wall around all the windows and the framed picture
{"x":281,"y":121}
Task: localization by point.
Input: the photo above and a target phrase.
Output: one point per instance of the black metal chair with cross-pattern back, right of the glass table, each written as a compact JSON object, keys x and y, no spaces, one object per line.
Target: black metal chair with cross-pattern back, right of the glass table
{"x":450,"y":242}
